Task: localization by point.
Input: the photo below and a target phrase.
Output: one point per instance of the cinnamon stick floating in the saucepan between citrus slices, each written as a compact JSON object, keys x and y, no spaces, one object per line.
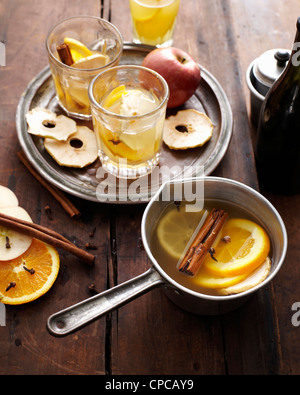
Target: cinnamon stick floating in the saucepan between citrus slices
{"x":203,"y":241}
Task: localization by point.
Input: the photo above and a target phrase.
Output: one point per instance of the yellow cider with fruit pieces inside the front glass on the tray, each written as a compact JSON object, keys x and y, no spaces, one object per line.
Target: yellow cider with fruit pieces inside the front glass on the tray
{"x":133,"y":141}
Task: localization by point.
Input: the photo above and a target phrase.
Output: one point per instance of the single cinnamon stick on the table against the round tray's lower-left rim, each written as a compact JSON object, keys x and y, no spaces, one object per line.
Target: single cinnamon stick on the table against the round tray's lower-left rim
{"x":67,"y":205}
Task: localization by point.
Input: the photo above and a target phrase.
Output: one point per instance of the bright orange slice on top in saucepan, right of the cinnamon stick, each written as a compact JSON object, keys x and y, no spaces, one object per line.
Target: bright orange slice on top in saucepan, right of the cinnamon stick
{"x":248,"y":248}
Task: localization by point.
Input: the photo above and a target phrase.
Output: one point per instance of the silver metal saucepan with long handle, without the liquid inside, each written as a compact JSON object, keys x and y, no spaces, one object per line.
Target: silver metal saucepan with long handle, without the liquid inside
{"x":80,"y":314}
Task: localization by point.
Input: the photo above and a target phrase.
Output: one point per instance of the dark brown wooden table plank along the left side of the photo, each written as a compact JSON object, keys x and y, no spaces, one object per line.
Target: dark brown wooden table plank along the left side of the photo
{"x":26,"y":346}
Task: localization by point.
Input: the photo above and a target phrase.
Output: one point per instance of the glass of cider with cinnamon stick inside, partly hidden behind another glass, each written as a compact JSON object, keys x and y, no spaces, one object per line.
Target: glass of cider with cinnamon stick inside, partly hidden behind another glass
{"x":78,"y":49}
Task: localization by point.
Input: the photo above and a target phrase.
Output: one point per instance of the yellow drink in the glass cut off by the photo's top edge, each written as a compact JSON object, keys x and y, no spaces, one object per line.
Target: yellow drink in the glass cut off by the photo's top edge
{"x":153,"y":21}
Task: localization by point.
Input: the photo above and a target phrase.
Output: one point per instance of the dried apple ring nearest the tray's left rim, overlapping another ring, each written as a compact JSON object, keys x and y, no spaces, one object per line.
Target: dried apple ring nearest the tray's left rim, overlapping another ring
{"x":45,"y":123}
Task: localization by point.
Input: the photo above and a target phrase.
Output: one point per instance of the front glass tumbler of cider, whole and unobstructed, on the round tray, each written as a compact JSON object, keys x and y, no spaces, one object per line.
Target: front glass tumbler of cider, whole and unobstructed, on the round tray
{"x":128,"y":109}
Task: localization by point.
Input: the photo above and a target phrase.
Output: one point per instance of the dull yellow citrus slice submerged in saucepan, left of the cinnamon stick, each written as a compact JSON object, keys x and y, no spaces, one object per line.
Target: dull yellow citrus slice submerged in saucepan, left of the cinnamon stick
{"x":176,"y":229}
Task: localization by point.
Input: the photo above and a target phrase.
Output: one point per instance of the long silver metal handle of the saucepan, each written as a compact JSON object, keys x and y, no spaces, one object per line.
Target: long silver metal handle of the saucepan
{"x":74,"y":317}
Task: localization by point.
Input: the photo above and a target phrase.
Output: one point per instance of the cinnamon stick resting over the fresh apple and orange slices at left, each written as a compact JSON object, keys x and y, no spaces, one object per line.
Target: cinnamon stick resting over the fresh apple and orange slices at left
{"x":47,"y":235}
